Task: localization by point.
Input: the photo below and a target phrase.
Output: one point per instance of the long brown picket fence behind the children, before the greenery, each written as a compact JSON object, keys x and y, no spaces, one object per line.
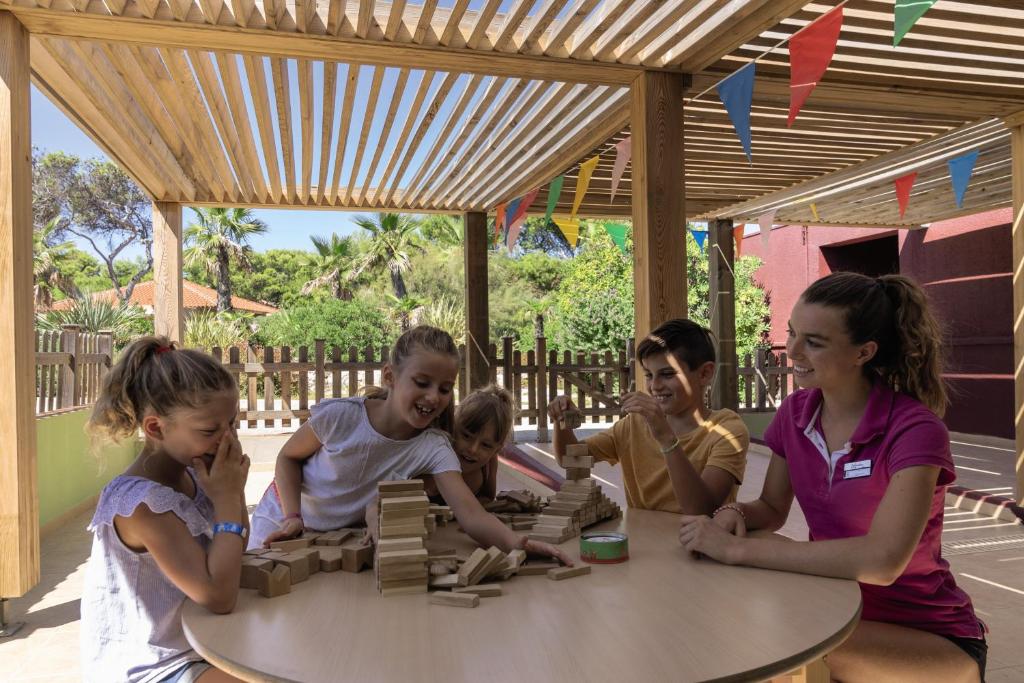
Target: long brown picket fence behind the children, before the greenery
{"x":279,"y":386}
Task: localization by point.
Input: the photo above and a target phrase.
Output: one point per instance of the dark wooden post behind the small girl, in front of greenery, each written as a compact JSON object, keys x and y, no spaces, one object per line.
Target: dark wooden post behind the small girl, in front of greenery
{"x":478,"y":340}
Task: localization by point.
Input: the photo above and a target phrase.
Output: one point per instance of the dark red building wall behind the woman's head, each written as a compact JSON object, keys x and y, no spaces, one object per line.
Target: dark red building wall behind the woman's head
{"x":965,"y":267}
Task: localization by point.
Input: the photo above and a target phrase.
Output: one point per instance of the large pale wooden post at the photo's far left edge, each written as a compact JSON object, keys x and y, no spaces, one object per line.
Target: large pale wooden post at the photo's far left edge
{"x":19,"y":494}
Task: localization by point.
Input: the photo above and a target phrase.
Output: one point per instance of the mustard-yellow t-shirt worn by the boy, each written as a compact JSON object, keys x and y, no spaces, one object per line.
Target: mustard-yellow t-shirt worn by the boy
{"x":720,"y":442}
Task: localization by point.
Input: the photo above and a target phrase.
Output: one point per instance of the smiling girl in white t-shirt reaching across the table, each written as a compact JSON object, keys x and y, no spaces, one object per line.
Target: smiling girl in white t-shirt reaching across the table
{"x":327,"y":474}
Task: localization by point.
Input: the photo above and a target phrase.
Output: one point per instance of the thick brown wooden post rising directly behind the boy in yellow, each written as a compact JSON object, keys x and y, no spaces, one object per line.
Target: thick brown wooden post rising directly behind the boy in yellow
{"x":659,"y":200}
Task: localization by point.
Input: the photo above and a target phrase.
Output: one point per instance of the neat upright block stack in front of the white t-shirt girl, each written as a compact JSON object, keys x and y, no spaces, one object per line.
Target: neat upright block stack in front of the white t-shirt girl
{"x":402,"y":559}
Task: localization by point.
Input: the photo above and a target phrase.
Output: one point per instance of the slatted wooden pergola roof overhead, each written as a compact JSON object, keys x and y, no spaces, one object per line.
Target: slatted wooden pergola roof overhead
{"x":251,"y":104}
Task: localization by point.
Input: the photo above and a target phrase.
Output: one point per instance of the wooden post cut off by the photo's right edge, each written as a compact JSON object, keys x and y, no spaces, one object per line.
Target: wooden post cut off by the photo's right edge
{"x":1017,"y":146}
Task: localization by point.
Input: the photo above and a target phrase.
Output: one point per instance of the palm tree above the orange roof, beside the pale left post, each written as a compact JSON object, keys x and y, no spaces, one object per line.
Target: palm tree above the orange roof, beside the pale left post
{"x":218,"y":238}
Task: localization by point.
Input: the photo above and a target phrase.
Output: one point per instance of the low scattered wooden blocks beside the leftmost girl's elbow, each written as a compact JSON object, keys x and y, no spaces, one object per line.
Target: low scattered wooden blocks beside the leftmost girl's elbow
{"x":274,"y":571}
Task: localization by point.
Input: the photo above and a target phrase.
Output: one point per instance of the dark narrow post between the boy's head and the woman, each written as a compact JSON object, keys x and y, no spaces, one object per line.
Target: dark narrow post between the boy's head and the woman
{"x":721,"y":258}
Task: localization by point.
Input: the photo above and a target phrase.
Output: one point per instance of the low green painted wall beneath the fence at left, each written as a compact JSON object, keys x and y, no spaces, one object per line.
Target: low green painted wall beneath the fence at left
{"x":69,"y":473}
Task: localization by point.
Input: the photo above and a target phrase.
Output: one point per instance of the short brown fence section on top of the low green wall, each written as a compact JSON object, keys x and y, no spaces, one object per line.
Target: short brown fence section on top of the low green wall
{"x":70,"y":368}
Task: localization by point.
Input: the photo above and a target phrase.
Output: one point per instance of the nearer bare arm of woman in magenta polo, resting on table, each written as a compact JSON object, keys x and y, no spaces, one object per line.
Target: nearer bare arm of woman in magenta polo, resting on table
{"x":879,"y":558}
